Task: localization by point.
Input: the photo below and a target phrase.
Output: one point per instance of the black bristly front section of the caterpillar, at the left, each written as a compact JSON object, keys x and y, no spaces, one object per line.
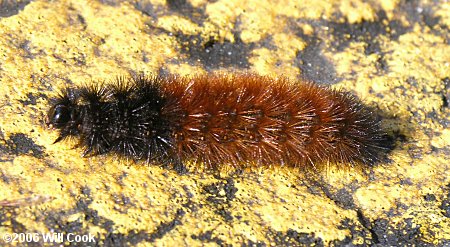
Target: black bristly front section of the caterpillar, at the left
{"x":123,"y":118}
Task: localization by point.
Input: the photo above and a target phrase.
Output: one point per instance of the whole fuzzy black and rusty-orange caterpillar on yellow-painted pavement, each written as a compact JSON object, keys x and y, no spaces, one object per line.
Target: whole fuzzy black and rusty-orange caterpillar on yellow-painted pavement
{"x":219,"y":119}
